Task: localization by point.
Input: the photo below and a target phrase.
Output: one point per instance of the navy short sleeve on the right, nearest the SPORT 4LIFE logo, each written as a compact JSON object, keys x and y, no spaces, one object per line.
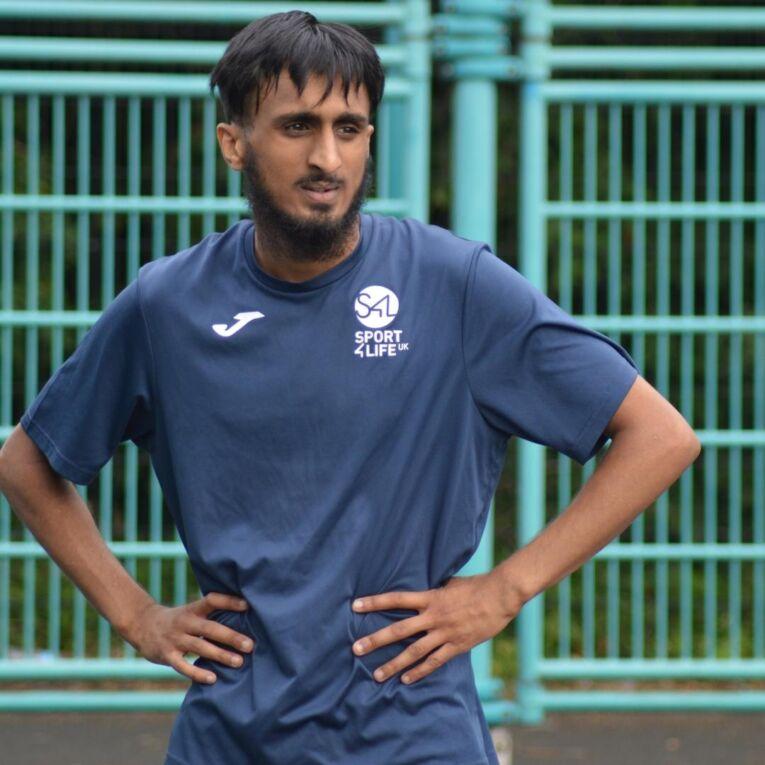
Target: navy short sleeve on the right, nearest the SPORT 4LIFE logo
{"x":534,"y":371}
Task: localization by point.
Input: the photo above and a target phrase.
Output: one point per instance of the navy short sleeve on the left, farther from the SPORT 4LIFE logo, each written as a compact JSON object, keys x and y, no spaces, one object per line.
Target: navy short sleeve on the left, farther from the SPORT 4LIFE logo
{"x":100,"y":396}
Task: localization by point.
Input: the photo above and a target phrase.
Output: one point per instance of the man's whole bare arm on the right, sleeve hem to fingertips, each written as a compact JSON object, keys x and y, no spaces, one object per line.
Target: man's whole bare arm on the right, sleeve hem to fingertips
{"x":651,"y":446}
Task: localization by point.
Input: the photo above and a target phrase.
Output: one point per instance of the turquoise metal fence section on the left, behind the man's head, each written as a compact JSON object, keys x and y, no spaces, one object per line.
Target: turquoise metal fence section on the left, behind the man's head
{"x":106,"y":165}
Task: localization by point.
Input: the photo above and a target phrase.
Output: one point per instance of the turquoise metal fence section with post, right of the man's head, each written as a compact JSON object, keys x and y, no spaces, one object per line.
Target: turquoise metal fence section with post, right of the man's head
{"x":642,"y":212}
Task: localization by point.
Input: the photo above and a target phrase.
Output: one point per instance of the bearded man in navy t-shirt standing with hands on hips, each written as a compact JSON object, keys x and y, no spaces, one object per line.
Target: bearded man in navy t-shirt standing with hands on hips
{"x":327,"y":397}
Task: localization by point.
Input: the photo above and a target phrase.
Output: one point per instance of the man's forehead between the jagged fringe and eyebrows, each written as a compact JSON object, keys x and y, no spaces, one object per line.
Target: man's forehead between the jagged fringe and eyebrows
{"x":283,"y":95}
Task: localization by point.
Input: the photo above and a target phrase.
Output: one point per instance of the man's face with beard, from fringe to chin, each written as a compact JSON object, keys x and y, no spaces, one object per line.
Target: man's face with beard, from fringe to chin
{"x":307,"y":165}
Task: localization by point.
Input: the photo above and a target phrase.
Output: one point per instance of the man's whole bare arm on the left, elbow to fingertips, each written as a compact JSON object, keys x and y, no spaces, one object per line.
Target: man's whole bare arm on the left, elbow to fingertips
{"x":53,"y":510}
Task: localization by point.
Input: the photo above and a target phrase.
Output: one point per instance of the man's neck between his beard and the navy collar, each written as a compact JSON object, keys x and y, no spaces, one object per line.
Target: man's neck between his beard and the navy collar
{"x":278,"y":257}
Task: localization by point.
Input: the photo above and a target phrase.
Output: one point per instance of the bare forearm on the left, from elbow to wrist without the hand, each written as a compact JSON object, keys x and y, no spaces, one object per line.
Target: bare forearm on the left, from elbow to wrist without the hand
{"x":58,"y":518}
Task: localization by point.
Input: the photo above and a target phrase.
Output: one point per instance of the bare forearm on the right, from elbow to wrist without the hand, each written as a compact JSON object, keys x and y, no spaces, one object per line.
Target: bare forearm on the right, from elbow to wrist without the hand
{"x":637,"y":468}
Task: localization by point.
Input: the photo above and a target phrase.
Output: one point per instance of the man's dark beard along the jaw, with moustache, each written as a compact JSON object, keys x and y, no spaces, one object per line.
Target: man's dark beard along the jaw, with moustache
{"x":313,"y":239}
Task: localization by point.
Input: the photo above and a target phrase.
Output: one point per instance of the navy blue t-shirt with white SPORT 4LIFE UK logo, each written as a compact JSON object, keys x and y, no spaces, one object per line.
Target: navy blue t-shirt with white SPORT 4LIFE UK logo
{"x":322,"y":440}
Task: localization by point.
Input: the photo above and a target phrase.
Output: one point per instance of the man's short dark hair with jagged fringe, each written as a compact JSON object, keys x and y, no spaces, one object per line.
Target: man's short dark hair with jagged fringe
{"x":256,"y":55}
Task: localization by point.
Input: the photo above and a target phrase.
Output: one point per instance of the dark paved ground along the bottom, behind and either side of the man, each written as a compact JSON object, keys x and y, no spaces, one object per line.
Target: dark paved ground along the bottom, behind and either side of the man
{"x":563,"y":739}
